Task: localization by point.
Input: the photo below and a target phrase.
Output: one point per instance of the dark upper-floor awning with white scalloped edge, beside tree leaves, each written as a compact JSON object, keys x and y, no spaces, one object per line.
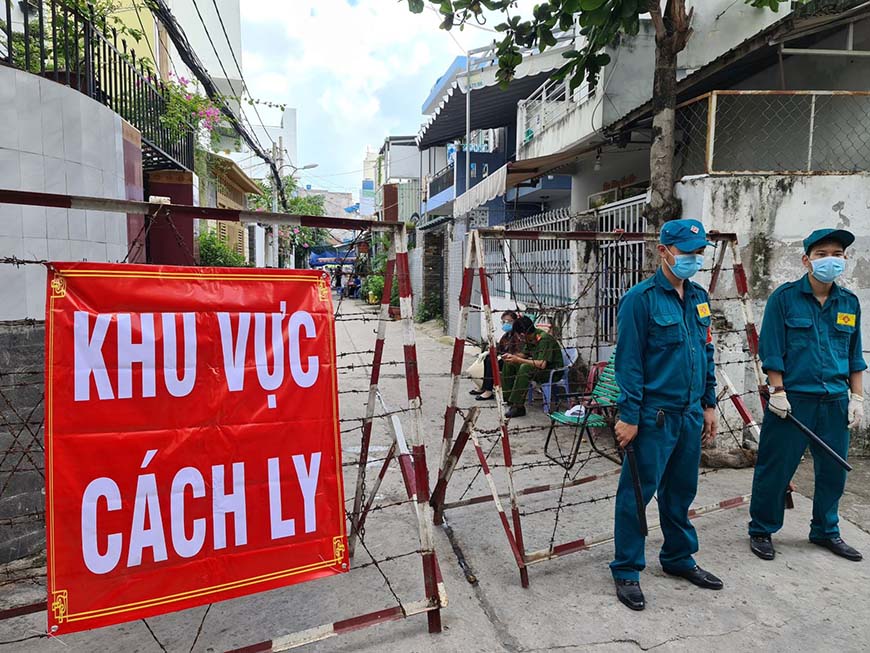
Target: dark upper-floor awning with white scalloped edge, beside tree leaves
{"x":491,"y":106}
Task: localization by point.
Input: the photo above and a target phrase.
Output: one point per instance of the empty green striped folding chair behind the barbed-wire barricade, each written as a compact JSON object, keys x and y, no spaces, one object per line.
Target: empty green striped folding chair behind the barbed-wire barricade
{"x":600,"y":413}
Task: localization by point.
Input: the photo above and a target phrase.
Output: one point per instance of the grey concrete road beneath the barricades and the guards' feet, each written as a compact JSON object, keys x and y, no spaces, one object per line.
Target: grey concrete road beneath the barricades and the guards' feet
{"x":805,"y":600}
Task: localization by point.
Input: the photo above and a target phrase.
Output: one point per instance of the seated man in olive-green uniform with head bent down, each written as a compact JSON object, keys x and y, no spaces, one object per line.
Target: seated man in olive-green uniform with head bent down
{"x":541,"y":355}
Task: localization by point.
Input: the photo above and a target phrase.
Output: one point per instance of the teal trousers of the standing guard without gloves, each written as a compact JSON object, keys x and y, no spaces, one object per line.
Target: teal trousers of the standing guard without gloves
{"x":668,"y":457}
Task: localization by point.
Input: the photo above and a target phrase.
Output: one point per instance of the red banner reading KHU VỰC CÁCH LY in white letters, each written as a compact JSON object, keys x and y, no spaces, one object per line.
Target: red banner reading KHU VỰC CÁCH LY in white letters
{"x":192,"y":441}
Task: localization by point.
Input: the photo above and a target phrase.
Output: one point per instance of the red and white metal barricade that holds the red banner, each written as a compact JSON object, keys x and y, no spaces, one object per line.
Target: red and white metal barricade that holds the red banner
{"x":408,"y":450}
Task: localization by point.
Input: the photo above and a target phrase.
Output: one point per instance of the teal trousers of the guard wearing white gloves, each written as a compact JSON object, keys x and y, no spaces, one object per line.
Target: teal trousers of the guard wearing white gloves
{"x":779,"y":454}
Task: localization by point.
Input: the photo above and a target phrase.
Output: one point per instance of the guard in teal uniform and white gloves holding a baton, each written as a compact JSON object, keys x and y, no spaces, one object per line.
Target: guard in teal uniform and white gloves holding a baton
{"x":810,"y":347}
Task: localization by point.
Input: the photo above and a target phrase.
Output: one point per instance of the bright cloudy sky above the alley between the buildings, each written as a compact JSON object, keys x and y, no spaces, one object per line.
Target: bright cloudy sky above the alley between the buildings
{"x":357,"y":71}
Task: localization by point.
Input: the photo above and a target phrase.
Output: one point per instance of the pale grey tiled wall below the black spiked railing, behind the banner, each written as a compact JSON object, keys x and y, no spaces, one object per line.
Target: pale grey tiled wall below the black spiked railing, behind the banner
{"x":53,"y":139}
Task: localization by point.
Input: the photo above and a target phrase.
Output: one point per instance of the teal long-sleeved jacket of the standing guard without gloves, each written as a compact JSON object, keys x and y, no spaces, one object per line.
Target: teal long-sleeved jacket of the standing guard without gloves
{"x":664,"y":349}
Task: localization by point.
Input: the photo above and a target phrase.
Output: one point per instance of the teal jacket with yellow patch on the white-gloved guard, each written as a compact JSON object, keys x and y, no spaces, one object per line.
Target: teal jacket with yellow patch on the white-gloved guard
{"x":814,"y":347}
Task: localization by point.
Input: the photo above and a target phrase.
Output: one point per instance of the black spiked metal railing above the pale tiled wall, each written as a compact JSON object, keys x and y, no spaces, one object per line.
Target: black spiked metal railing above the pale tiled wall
{"x":60,"y":42}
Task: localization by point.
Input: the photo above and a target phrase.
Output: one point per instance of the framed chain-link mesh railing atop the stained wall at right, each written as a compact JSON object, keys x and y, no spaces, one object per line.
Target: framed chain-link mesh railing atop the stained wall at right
{"x":774,"y":132}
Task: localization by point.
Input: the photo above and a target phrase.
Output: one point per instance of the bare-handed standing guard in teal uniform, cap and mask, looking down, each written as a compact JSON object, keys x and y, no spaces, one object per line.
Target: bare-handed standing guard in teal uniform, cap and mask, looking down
{"x":667,"y":404}
